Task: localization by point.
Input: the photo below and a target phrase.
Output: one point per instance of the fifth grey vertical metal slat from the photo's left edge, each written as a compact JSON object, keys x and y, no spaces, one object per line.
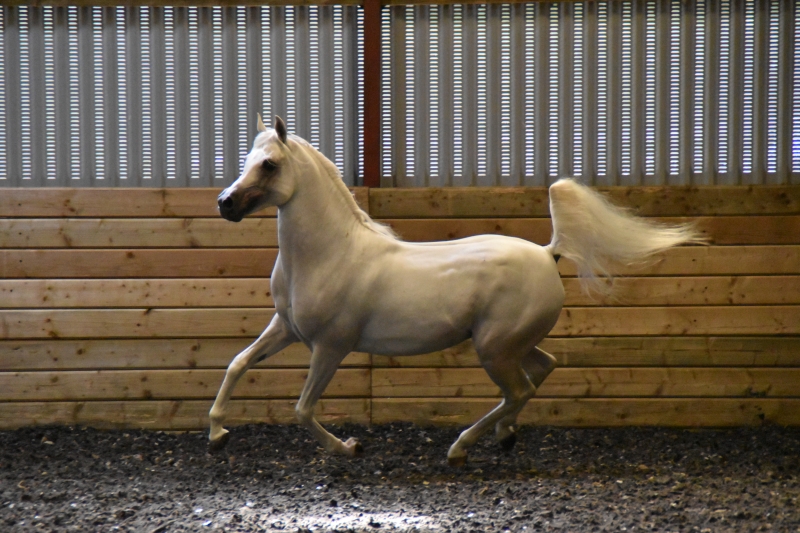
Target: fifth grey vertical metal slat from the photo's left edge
{"x":111,"y":163}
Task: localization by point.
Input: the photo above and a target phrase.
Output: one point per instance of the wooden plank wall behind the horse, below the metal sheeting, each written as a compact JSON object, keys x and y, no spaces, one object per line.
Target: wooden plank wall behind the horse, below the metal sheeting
{"x":123,"y":308}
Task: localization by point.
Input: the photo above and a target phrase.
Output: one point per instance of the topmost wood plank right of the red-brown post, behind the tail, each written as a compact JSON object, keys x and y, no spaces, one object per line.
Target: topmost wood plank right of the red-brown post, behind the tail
{"x":465,"y":202}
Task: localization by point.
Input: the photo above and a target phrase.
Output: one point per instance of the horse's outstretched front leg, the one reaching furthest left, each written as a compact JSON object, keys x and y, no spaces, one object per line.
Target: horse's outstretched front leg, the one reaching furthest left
{"x":275,"y":338}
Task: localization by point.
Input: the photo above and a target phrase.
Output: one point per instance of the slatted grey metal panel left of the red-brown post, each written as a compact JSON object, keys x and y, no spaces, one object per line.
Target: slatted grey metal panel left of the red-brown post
{"x":160,"y":96}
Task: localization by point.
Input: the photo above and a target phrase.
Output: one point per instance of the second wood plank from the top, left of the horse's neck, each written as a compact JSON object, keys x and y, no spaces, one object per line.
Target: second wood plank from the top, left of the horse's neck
{"x":138,"y":233}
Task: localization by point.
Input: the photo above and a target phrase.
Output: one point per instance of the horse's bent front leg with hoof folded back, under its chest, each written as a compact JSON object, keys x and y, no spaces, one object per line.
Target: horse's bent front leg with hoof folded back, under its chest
{"x":324,"y":362}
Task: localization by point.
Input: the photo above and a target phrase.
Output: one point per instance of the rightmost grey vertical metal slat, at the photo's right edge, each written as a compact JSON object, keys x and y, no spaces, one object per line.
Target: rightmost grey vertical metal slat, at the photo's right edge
{"x":786,"y":60}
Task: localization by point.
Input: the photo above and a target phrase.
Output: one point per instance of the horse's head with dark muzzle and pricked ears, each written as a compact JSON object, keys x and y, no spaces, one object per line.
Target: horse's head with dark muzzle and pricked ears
{"x":262,"y":182}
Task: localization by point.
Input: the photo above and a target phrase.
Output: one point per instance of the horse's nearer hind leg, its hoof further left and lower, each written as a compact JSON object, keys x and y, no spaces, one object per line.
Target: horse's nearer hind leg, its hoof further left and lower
{"x":516,"y":387}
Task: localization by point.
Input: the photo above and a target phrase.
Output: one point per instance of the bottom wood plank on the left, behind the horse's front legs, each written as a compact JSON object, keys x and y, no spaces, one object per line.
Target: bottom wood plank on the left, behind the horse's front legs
{"x":175,"y":414}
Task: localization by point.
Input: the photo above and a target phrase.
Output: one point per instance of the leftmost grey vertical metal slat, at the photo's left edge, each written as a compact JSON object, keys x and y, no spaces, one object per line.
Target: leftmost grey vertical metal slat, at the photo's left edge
{"x":13,"y":97}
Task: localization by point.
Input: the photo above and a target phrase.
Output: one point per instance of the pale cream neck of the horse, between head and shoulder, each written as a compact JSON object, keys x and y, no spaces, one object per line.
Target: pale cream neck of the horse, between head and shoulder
{"x":318,"y":221}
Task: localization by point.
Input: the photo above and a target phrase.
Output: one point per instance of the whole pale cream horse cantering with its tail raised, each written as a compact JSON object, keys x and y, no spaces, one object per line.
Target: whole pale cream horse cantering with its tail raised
{"x":344,"y":283}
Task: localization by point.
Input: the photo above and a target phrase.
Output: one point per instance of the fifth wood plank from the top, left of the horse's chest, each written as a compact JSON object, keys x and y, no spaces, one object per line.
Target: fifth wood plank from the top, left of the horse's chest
{"x":128,"y":323}
